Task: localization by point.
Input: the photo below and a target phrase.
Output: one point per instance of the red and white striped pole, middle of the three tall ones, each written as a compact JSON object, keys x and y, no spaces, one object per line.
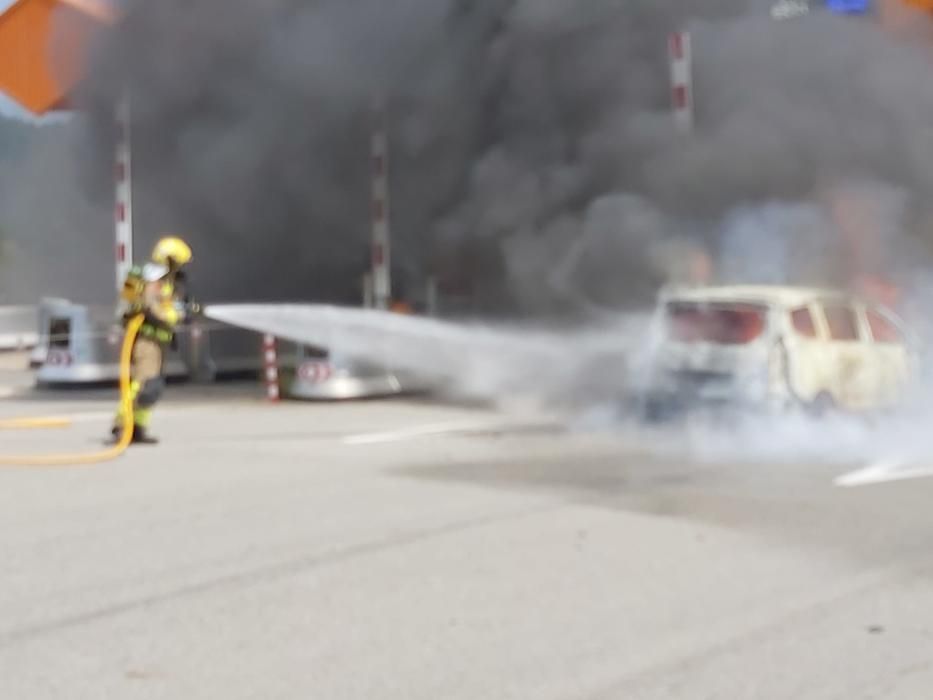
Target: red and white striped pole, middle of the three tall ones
{"x":381,"y":260}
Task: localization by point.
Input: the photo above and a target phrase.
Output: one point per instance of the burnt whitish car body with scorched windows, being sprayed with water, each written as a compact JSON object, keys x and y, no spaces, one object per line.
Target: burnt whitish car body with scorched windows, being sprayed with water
{"x":774,"y":348}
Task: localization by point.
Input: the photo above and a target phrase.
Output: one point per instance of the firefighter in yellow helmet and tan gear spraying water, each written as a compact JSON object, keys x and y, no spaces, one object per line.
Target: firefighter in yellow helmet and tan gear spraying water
{"x":151,"y":291}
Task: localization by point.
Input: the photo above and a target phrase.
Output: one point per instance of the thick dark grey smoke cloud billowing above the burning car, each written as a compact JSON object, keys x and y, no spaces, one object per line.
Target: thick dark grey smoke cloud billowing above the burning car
{"x":532,"y":144}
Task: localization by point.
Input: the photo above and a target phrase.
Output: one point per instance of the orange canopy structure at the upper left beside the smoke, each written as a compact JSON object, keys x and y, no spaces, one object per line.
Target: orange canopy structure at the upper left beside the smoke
{"x":43,"y":49}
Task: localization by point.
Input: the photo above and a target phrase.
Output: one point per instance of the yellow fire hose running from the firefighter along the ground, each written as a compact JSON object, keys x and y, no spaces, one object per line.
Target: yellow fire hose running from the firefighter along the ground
{"x":67,"y":460}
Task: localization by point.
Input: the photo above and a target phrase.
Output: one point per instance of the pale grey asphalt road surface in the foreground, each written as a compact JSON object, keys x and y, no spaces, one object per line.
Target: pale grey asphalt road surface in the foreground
{"x":405,"y":550}
